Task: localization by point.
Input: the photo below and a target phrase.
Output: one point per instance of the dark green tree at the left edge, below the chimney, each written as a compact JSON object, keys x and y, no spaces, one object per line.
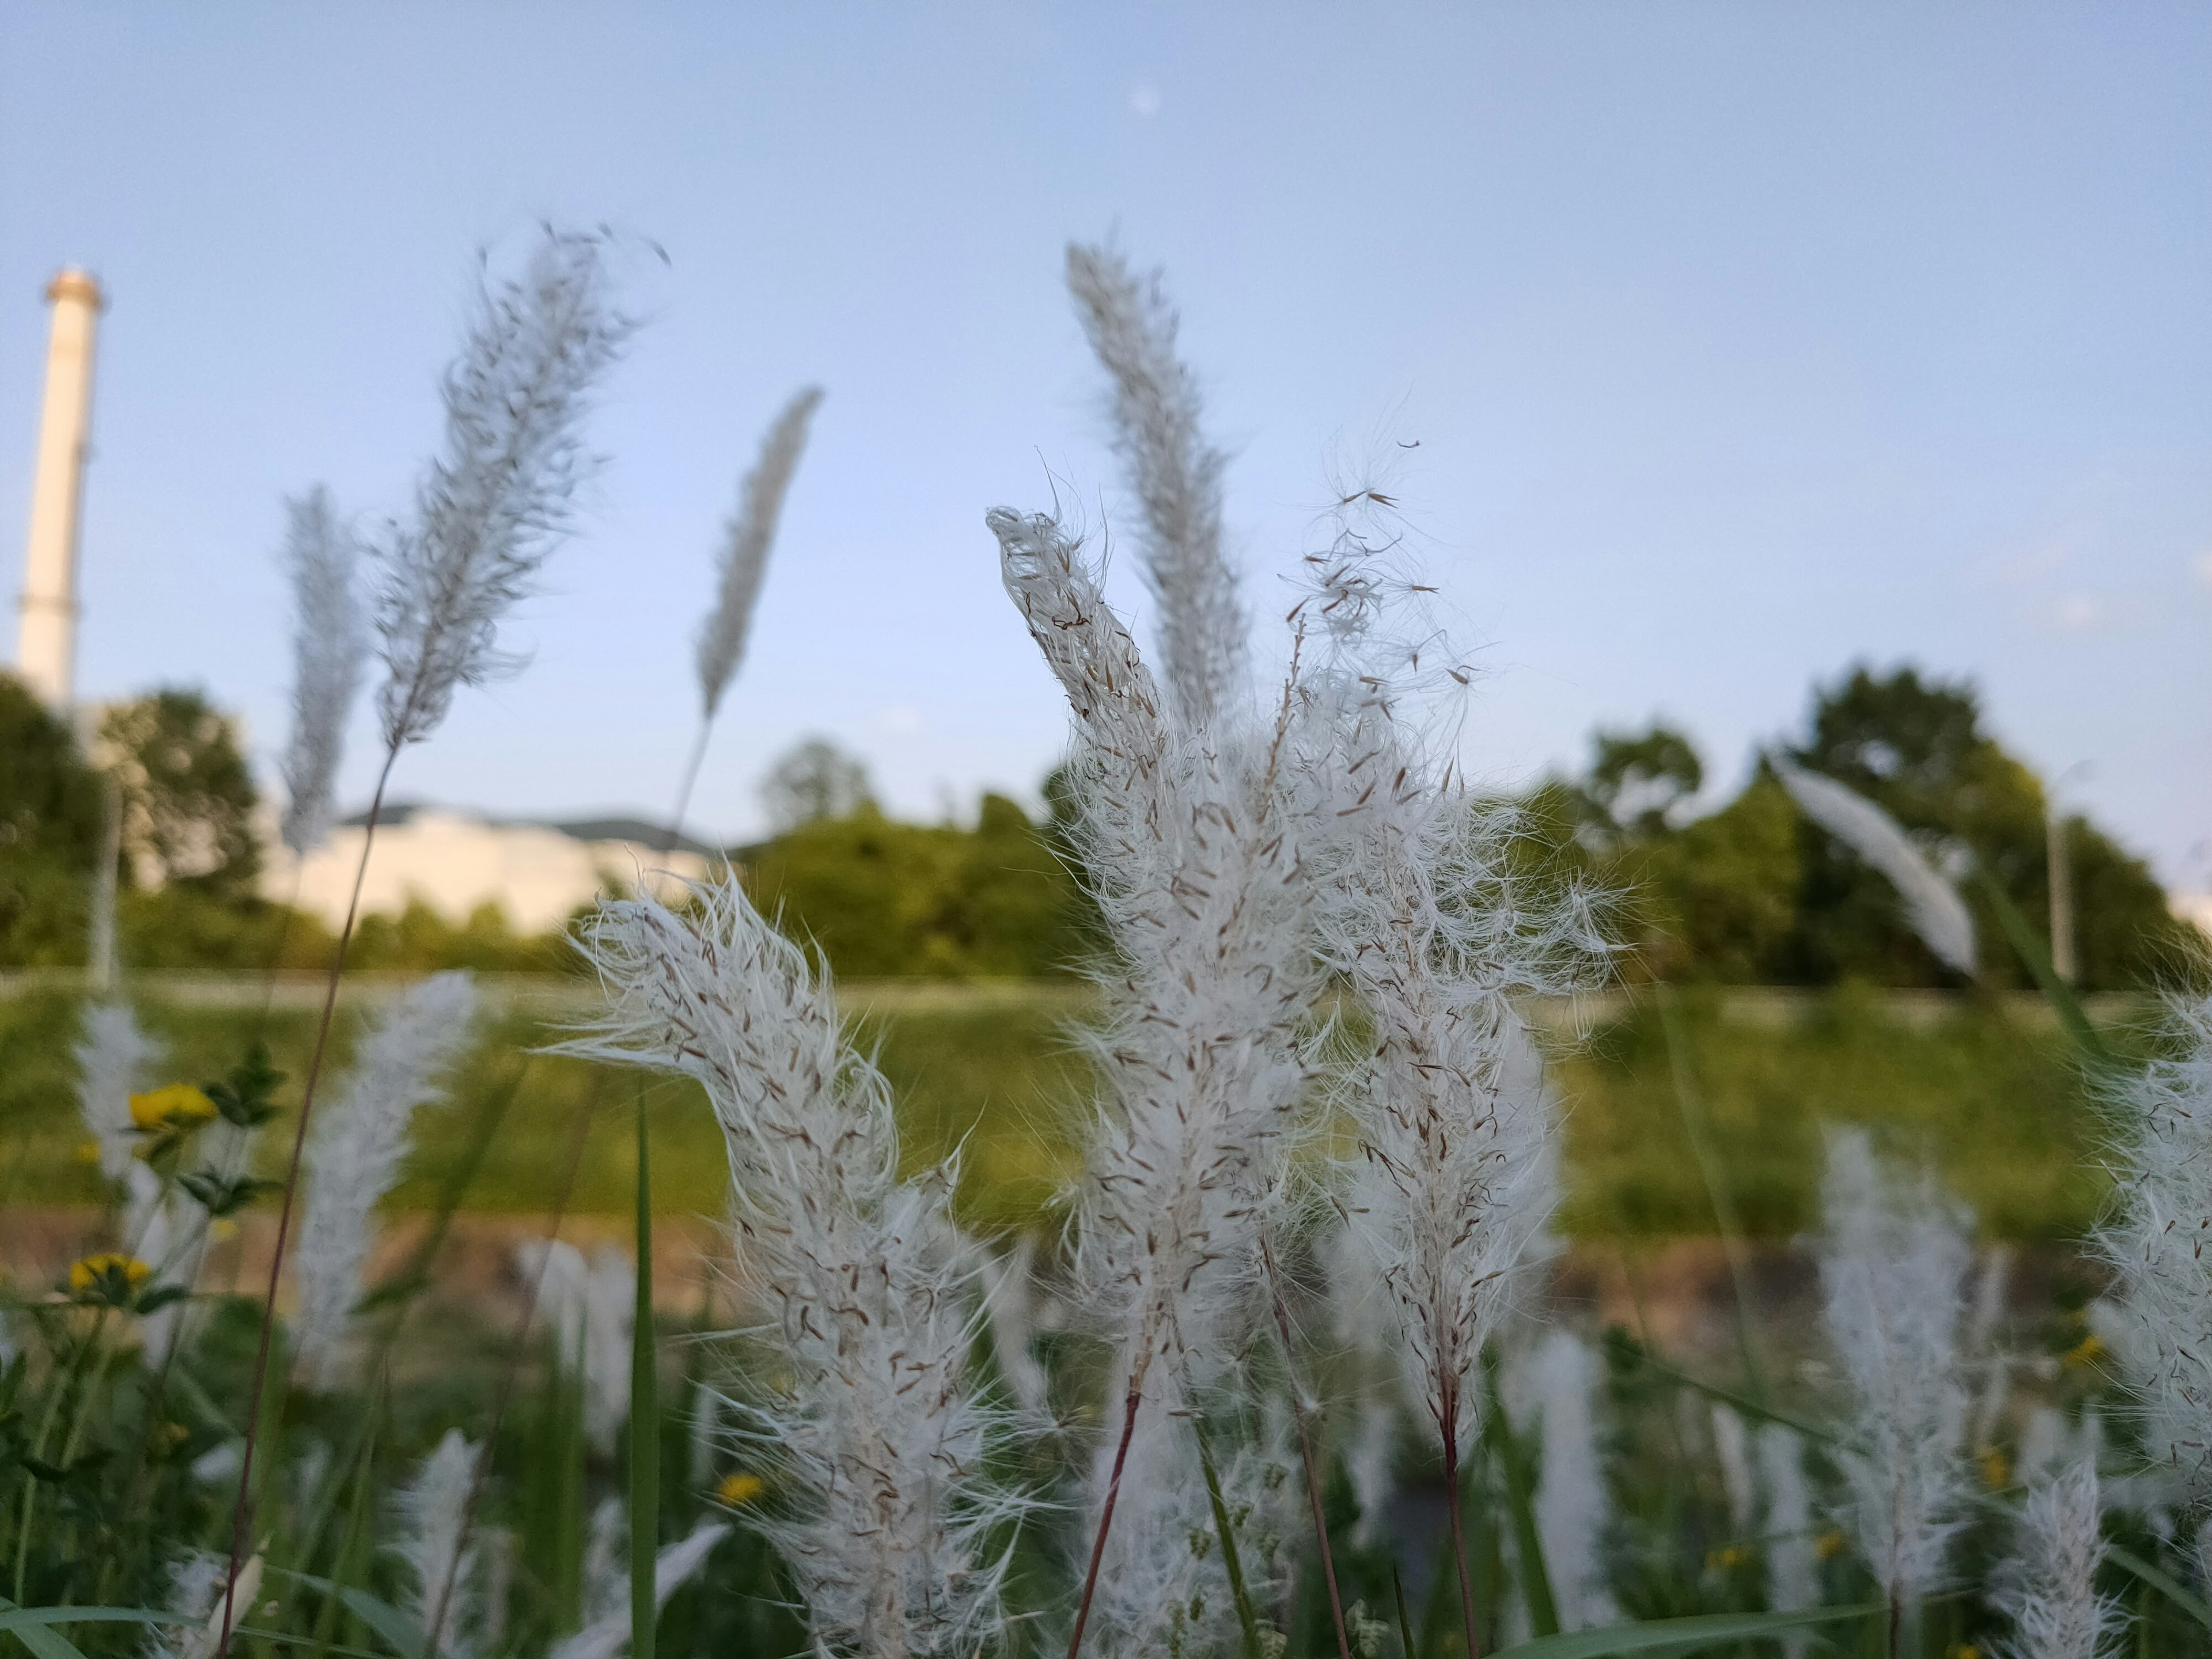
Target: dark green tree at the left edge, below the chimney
{"x":50,"y":835}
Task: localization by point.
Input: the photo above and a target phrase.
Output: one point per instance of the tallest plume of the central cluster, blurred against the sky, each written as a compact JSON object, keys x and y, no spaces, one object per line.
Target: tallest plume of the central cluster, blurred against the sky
{"x":1176,"y":477}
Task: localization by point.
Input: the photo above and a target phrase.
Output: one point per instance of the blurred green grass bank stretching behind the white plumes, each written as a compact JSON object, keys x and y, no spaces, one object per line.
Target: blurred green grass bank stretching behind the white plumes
{"x":1983,"y":1089}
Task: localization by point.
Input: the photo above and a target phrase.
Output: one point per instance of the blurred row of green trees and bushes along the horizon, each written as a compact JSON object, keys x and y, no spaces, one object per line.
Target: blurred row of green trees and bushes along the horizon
{"x":1744,"y":893}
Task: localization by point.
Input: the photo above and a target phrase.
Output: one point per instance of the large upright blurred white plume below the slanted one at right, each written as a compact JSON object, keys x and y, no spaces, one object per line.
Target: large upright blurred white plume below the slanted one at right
{"x":1892,"y":1280}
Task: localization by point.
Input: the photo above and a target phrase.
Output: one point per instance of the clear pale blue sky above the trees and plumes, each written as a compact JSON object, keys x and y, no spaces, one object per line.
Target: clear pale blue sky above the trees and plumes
{"x":1740,"y":342}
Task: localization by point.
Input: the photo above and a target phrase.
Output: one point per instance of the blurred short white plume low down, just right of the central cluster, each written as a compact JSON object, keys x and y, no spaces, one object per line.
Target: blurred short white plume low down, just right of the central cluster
{"x":1556,"y":1384}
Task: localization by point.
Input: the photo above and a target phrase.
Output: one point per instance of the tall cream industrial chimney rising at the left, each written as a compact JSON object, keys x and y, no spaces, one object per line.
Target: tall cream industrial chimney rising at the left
{"x":48,"y":651}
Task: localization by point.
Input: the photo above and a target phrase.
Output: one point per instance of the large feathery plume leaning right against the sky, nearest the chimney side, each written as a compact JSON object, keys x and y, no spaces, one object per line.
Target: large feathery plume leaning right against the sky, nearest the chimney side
{"x":499,"y":499}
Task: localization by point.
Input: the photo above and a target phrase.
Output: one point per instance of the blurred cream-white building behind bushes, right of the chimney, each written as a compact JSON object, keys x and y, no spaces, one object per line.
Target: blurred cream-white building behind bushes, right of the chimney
{"x":457,"y":862}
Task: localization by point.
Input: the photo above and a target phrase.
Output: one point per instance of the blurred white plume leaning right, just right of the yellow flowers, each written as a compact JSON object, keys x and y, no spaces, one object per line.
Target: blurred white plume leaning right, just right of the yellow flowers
{"x":355,"y":1156}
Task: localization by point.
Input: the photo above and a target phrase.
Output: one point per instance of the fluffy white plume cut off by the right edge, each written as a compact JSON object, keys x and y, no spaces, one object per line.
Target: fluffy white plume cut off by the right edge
{"x":2156,"y":1246}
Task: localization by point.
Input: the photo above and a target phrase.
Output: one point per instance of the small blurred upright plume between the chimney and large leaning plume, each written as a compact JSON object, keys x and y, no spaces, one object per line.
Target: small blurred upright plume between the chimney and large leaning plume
{"x":331,"y":649}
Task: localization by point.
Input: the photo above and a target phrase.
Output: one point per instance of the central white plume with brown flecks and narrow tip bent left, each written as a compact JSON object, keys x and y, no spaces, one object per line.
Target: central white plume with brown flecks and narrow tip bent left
{"x":1196,"y":868}
